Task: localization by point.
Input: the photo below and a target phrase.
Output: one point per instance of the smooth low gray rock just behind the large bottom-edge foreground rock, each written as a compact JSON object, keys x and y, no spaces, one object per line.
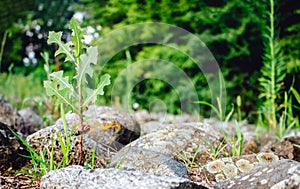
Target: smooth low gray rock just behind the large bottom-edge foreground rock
{"x":148,"y":161}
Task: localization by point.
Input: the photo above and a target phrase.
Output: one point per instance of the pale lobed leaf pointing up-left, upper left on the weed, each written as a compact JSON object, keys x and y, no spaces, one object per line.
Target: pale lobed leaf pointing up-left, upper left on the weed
{"x":64,"y":48}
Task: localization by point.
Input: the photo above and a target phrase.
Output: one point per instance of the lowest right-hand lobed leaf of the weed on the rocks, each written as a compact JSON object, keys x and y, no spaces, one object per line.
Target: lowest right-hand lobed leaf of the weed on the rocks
{"x":92,"y":94}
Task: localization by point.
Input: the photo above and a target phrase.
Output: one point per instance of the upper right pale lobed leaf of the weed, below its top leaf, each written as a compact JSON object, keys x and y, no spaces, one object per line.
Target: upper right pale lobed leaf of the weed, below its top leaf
{"x":85,"y":64}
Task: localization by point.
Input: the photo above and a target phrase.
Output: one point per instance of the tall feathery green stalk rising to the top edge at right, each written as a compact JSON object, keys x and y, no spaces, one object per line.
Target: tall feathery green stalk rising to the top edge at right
{"x":273,"y":73}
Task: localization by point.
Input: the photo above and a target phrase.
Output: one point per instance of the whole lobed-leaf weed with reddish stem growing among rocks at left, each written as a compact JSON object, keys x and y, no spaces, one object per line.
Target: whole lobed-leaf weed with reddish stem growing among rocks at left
{"x":79,"y":94}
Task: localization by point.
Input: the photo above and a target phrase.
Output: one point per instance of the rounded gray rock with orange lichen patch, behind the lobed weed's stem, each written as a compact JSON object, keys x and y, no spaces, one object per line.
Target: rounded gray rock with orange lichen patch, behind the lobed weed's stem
{"x":107,"y":126}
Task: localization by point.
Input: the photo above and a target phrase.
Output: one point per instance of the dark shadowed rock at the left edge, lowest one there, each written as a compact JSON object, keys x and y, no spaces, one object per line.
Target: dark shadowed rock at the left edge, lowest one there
{"x":10,"y":149}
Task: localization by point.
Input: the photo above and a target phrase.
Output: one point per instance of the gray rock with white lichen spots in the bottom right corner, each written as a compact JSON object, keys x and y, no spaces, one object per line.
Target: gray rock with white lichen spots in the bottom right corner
{"x":271,"y":175}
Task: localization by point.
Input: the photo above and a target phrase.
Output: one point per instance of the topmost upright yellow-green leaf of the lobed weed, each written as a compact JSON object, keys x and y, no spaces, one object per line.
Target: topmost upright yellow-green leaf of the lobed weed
{"x":77,"y":36}
